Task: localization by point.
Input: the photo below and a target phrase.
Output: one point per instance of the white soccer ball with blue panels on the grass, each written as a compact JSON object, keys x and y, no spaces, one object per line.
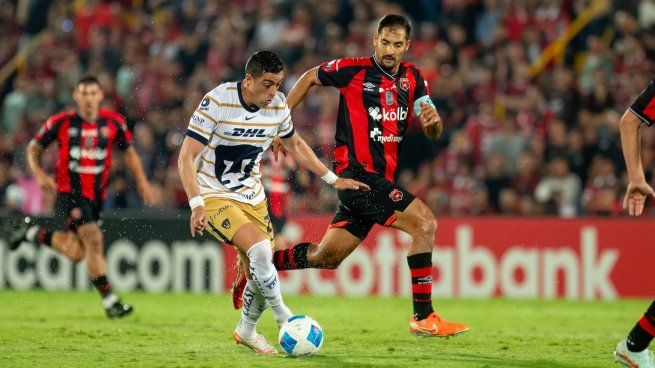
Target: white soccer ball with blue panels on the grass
{"x":301,"y":336}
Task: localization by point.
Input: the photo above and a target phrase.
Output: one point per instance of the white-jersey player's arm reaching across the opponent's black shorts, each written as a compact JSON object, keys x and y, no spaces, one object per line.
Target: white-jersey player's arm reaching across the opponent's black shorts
{"x":307,"y":158}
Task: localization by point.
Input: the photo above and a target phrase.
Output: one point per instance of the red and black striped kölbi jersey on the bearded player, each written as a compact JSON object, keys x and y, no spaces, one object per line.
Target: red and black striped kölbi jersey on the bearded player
{"x":374,"y":110}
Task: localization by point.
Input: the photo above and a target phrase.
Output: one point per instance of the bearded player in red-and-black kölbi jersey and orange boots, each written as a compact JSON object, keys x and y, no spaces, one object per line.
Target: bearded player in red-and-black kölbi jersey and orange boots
{"x":380,"y":96}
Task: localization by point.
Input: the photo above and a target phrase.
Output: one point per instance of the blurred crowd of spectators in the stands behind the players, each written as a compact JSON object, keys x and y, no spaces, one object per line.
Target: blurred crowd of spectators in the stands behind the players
{"x":519,"y":140}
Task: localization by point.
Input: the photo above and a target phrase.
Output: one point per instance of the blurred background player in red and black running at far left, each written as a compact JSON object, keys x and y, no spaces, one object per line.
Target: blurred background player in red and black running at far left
{"x":86,"y":138}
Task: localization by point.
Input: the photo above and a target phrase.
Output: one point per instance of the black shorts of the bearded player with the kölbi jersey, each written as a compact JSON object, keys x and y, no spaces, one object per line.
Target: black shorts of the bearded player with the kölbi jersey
{"x":360,"y":210}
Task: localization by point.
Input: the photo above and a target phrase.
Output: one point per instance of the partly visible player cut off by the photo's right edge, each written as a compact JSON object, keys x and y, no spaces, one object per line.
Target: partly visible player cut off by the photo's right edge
{"x":633,"y":350}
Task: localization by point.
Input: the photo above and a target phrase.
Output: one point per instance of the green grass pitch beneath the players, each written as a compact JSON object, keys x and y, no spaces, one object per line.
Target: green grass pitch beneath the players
{"x":68,"y":329}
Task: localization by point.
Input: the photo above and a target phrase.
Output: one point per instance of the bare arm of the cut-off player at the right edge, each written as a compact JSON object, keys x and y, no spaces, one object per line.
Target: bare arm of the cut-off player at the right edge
{"x":638,"y":189}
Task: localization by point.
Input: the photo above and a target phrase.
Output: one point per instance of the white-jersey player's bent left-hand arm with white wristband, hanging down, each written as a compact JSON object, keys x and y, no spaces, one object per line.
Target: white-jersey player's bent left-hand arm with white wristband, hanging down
{"x":191,"y":148}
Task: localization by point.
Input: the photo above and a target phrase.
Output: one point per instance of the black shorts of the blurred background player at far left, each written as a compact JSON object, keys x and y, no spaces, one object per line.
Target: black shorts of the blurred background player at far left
{"x":77,"y":210}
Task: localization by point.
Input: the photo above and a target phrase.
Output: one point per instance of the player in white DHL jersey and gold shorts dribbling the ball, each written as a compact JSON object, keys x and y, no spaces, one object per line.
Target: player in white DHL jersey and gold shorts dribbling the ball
{"x":219,"y":167}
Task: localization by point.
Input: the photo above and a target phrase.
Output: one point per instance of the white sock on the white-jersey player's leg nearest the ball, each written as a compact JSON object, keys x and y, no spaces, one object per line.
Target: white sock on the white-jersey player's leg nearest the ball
{"x":264,"y":274}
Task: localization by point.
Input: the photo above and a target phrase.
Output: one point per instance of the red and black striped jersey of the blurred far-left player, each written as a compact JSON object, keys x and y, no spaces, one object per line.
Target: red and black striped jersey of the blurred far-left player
{"x":84,"y":150}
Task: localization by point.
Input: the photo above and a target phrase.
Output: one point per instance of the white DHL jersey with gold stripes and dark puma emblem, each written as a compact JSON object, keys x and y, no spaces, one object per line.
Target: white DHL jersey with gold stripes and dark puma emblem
{"x":235,"y":137}
